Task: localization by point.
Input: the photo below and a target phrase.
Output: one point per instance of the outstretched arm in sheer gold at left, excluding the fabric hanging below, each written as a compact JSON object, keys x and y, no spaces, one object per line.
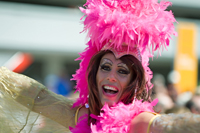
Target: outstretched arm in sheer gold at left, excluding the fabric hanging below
{"x":36,"y":97}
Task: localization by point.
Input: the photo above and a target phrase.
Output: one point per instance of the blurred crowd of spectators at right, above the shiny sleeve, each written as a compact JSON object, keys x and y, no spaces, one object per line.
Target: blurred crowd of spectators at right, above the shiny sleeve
{"x":172,"y":102}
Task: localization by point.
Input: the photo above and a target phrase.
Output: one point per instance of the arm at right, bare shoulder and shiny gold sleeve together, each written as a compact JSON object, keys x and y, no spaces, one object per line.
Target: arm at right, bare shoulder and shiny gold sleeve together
{"x":166,"y":123}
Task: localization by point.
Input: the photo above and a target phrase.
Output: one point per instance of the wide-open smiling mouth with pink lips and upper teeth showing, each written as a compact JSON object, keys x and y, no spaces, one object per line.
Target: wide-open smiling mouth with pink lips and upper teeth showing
{"x":109,"y":90}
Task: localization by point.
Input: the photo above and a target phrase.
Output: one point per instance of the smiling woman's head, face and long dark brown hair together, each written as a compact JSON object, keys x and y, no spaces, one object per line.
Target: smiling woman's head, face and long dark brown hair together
{"x":113,"y":79}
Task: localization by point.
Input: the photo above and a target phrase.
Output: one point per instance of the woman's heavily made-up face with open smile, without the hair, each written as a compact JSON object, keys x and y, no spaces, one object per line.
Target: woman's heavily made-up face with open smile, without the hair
{"x":112,"y":77}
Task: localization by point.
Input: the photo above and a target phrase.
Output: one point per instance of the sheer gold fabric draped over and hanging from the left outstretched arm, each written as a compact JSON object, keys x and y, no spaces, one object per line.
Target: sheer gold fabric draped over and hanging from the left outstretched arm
{"x":26,"y":106}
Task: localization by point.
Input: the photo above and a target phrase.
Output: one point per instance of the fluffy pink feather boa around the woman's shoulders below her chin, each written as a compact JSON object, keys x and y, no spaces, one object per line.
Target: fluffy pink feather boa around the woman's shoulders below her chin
{"x":116,"y":119}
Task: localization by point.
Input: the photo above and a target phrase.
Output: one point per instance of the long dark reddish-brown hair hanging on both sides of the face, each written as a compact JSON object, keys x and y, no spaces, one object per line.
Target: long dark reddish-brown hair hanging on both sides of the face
{"x":137,"y":81}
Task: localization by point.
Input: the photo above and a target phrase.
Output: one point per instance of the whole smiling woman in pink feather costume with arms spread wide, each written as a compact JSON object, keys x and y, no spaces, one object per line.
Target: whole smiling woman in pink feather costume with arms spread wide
{"x":113,"y":78}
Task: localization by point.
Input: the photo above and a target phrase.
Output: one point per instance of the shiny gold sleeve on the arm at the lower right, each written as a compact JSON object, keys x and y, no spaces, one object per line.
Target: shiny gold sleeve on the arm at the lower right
{"x":176,"y":123}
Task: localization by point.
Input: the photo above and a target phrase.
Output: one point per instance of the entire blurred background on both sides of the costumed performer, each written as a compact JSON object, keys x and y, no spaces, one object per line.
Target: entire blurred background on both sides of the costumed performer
{"x":41,"y":39}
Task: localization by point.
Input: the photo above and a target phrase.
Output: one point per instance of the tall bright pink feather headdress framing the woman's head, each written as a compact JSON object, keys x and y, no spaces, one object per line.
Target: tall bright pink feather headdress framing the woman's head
{"x":137,"y":23}
